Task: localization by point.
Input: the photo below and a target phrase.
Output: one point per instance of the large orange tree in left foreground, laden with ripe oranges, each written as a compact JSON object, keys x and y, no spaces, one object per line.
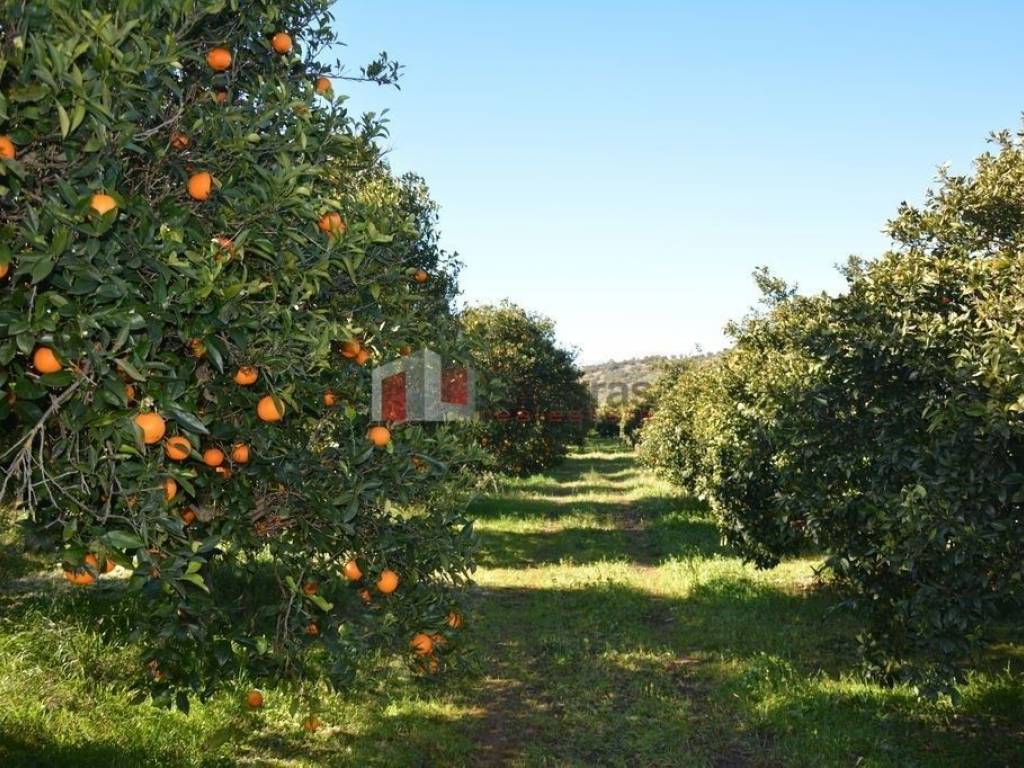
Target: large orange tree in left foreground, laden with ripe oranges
{"x":201,"y":257}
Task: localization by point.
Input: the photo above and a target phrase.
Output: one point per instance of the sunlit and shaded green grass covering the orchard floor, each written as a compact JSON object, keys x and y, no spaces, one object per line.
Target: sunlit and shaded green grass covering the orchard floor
{"x":610,"y":628}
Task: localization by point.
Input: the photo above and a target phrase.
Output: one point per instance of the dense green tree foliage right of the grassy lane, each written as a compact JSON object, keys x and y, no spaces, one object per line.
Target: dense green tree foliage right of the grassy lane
{"x":885,"y":425}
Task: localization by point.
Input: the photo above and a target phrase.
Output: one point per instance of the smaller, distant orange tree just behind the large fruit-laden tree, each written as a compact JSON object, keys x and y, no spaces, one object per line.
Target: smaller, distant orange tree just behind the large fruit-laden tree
{"x":537,"y":404}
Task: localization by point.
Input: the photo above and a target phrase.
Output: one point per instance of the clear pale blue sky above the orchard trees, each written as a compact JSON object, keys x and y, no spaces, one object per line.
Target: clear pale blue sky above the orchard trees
{"x":624,"y":166}
